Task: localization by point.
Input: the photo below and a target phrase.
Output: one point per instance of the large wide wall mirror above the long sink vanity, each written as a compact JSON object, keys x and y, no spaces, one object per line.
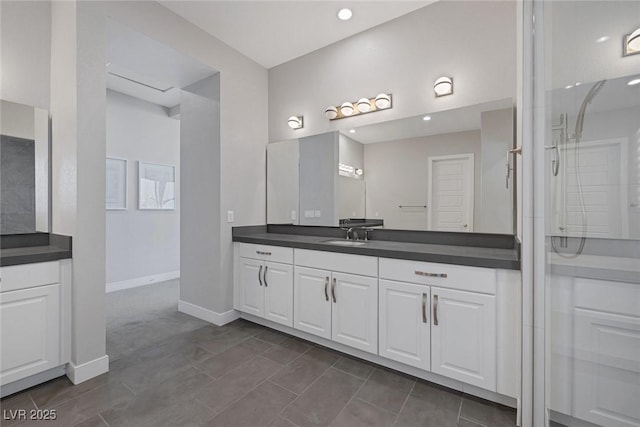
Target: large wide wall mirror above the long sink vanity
{"x":447,"y":171}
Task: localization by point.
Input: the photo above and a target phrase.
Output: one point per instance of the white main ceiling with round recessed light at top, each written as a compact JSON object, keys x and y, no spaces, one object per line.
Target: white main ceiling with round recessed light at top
{"x":274,"y":32}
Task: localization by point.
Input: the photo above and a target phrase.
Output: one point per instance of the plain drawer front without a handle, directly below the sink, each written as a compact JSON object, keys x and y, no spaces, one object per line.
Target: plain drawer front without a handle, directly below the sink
{"x":344,"y":263}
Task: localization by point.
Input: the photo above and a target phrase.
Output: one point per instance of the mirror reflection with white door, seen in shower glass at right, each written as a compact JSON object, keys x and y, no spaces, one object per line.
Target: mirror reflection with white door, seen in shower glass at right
{"x":593,"y":160}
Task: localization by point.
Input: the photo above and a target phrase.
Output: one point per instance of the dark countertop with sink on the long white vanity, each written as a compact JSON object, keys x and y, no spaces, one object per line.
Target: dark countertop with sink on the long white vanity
{"x":490,"y":257}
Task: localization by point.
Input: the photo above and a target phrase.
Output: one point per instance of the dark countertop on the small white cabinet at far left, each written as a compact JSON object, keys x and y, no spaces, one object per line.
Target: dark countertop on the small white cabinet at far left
{"x":32,"y":248}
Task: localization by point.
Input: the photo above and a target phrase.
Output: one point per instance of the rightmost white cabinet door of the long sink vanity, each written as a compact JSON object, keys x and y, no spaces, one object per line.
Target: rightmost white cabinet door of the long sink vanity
{"x":463,"y":336}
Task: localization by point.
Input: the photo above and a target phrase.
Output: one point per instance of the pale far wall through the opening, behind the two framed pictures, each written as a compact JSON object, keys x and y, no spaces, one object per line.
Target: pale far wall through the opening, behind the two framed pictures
{"x":141,"y":243}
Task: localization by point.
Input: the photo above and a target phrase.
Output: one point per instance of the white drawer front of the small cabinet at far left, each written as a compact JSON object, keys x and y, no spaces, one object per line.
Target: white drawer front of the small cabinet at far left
{"x":29,"y":275}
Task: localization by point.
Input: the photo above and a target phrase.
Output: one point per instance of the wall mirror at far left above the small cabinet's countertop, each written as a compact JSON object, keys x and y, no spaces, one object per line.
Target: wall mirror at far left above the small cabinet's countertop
{"x":24,"y":169}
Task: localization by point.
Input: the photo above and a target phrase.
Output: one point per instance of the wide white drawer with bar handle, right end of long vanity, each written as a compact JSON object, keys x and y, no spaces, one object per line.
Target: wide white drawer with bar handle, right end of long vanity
{"x":473,"y":279}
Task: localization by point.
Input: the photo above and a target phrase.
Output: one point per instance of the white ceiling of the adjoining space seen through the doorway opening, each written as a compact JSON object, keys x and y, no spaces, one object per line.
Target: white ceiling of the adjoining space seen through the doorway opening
{"x":144,"y":68}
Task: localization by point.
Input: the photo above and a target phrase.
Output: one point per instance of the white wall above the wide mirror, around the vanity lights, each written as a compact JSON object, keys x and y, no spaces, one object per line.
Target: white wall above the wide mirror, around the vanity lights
{"x":473,"y":42}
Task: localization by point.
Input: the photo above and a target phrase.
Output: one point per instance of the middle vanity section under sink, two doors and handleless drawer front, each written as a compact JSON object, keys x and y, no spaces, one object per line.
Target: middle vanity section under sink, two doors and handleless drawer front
{"x":339,"y":305}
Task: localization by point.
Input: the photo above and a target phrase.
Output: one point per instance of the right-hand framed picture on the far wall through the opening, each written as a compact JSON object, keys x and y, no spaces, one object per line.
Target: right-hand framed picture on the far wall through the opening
{"x":156,"y":186}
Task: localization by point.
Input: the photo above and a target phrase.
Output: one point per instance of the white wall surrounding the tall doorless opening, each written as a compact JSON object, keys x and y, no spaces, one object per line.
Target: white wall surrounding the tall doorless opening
{"x":78,"y":107}
